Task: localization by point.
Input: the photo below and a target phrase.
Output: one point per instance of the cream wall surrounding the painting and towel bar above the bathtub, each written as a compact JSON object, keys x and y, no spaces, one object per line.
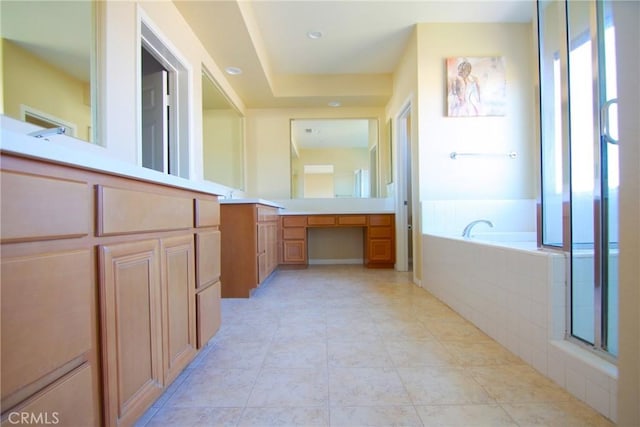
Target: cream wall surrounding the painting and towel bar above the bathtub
{"x":479,"y":178}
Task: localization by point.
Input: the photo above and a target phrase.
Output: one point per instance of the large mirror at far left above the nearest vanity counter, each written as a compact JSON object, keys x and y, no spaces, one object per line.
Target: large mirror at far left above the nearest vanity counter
{"x":47,"y":53}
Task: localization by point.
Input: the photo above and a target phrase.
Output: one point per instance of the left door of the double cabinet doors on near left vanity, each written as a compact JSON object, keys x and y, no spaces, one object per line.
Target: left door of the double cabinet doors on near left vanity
{"x":131,"y":329}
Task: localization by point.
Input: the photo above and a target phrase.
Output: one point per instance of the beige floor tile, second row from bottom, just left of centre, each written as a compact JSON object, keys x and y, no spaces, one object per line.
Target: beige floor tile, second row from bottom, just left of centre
{"x":290,"y":387}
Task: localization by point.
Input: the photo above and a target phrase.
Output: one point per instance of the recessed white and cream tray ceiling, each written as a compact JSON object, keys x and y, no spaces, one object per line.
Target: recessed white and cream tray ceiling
{"x":352,"y":63}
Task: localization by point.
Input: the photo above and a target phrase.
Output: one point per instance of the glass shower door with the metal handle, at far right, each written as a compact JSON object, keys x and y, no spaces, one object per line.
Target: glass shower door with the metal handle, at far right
{"x":593,"y":173}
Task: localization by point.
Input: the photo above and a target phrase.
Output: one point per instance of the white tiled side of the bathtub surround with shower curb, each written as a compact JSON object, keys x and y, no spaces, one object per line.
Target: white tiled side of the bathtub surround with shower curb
{"x":517,"y":297}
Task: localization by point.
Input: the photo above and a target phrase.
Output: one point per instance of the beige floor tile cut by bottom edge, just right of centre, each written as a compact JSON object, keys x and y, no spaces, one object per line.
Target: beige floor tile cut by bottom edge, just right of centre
{"x":374,"y":416}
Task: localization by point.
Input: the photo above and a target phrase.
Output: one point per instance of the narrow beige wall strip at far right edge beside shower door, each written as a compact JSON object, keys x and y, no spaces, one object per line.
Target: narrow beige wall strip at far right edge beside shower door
{"x":626,"y":19}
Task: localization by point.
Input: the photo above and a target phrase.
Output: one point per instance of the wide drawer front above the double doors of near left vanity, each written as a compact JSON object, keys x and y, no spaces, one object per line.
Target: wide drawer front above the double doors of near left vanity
{"x":122,"y":211}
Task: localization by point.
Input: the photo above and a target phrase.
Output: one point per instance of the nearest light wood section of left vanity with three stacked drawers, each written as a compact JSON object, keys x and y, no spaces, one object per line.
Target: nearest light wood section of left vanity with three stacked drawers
{"x":48,"y":316}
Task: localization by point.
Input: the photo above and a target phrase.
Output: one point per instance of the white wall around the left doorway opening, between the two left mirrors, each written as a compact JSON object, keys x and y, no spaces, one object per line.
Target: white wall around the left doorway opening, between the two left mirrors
{"x":119,"y":75}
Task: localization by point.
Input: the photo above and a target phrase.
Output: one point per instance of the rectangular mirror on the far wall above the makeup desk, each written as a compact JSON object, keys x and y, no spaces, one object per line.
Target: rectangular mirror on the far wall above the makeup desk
{"x":334,"y":158}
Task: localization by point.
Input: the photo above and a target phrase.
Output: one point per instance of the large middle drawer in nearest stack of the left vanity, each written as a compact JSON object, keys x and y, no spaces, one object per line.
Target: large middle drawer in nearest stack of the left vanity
{"x":46,"y":314}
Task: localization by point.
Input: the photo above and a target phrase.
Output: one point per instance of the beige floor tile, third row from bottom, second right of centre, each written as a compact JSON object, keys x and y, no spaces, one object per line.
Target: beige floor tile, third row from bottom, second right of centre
{"x":412,"y":353}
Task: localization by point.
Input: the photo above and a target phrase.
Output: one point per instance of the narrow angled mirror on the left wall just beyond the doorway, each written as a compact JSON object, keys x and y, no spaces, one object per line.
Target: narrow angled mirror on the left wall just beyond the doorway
{"x":222,"y":137}
